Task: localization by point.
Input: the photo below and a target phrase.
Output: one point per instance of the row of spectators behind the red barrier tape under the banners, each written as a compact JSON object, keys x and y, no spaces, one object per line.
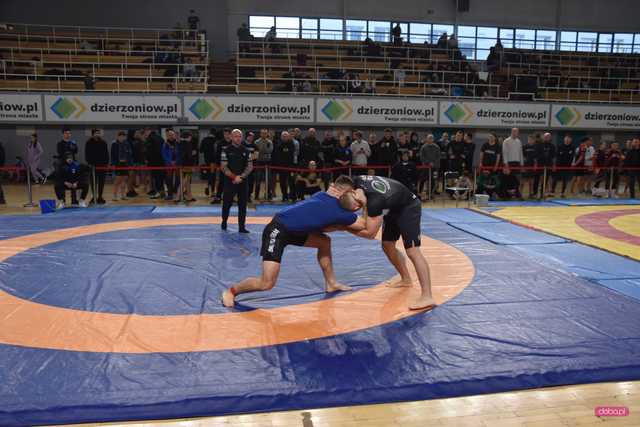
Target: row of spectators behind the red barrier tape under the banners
{"x":145,"y":162}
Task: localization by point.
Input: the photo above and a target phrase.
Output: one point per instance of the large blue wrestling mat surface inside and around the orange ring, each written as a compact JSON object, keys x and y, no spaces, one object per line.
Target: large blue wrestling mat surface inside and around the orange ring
{"x":525,"y":321}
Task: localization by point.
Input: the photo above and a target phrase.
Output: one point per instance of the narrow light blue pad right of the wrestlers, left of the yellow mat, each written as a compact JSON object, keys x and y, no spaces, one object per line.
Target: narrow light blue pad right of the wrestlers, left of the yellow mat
{"x":504,"y":233}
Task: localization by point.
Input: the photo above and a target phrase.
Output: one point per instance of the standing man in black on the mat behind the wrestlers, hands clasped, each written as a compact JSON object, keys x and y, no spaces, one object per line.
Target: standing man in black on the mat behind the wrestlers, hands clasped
{"x":236,"y":164}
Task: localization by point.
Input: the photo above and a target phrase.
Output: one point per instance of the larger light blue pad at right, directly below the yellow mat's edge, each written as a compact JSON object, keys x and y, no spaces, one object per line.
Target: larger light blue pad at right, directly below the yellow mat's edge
{"x":584,"y":261}
